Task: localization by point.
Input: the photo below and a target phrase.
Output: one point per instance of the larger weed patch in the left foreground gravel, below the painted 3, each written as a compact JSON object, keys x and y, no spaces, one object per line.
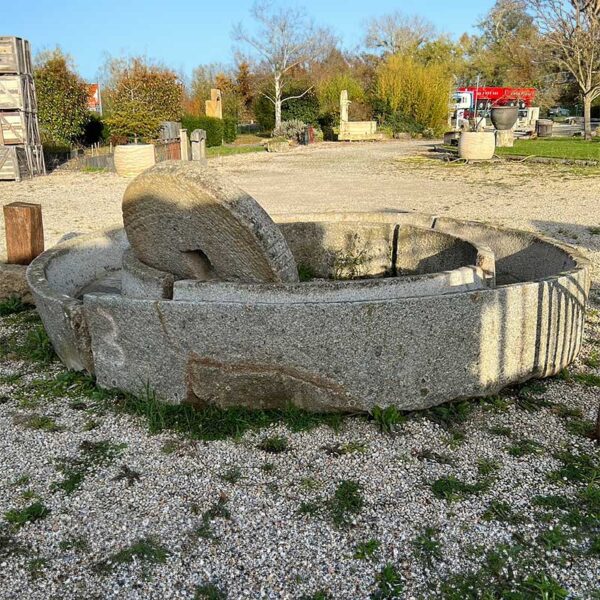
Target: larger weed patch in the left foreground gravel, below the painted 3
{"x":92,"y":455}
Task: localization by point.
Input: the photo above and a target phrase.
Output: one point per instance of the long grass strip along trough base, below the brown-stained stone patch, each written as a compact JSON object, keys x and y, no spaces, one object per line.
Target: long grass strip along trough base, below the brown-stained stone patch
{"x":212,"y":423}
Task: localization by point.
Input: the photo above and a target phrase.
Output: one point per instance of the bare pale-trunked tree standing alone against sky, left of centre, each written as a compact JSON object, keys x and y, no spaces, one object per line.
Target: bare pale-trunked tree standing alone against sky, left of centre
{"x":286,"y":40}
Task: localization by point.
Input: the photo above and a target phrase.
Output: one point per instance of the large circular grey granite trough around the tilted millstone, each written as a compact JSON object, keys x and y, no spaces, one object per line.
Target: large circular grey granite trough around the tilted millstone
{"x":399,"y":309}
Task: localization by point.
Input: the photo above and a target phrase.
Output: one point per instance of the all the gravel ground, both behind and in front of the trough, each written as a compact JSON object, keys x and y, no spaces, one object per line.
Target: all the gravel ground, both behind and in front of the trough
{"x":93,"y":506}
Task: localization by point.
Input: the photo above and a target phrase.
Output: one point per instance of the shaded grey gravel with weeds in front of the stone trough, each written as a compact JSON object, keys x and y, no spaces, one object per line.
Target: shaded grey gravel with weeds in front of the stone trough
{"x":224,"y":518}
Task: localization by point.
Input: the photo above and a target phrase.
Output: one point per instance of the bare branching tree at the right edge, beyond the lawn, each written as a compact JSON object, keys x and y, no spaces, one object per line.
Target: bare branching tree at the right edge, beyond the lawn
{"x":572,"y":33}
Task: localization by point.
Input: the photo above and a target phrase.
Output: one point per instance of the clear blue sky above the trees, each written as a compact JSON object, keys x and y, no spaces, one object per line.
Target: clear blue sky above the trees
{"x":185,"y":33}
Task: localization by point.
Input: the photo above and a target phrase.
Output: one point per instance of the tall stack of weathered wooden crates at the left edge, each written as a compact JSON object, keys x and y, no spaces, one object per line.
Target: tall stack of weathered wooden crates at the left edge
{"x":21,"y":153}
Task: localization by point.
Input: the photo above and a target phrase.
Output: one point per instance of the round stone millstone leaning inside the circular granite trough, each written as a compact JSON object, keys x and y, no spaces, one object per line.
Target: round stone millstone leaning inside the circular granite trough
{"x":185,"y":219}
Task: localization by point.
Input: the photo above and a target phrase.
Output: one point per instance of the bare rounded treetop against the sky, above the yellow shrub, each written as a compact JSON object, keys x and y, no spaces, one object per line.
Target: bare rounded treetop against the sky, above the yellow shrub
{"x":398,"y":32}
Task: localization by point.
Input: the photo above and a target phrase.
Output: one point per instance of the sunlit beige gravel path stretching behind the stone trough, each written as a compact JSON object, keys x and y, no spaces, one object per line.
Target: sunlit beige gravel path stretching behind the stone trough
{"x":563,"y":202}
